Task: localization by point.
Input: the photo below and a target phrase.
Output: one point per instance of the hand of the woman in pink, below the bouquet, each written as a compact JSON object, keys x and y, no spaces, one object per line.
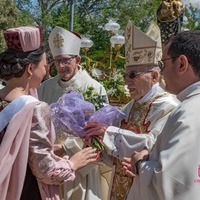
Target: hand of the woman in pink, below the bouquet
{"x":83,"y":157}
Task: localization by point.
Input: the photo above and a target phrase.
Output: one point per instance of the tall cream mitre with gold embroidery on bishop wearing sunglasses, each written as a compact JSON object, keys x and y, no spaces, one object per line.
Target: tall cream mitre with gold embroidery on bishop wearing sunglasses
{"x":142,"y":48}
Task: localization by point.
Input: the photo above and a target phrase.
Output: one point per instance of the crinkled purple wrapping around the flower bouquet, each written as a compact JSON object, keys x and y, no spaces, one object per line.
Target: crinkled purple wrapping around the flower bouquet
{"x":71,"y":112}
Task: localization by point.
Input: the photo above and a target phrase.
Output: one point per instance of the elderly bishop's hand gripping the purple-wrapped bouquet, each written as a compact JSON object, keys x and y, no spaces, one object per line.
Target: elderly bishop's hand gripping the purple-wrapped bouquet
{"x":95,"y":128}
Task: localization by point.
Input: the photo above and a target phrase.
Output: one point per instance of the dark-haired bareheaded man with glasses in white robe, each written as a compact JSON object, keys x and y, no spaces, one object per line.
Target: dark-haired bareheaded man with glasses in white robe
{"x":169,"y":171}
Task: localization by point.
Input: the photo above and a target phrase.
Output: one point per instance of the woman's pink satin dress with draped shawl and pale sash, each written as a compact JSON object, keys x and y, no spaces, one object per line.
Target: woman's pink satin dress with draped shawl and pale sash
{"x":31,"y":120}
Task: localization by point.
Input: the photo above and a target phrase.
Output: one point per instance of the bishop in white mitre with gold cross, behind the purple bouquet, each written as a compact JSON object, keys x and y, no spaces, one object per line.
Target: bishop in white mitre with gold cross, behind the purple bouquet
{"x":65,"y":47}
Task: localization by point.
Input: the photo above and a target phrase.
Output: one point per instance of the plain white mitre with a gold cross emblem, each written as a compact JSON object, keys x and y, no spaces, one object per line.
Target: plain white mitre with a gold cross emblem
{"x":62,"y":41}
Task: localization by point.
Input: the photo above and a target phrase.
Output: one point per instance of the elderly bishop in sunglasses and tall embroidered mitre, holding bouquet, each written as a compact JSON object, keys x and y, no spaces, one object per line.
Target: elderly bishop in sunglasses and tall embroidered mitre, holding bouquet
{"x":146,"y":113}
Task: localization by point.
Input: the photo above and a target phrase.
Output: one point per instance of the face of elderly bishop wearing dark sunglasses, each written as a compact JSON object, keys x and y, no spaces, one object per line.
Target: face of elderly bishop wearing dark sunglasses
{"x":139,"y":80}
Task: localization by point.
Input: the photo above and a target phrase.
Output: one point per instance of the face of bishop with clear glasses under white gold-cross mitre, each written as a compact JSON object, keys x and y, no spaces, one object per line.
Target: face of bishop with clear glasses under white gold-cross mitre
{"x":67,"y":66}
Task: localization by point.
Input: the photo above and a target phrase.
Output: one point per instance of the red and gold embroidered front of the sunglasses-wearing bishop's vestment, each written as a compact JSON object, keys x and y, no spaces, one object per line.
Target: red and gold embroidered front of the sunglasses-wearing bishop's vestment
{"x":137,"y":123}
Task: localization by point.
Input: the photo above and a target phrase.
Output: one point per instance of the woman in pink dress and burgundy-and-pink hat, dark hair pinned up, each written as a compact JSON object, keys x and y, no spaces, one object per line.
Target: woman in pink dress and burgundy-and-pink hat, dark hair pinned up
{"x":28,"y":167}
